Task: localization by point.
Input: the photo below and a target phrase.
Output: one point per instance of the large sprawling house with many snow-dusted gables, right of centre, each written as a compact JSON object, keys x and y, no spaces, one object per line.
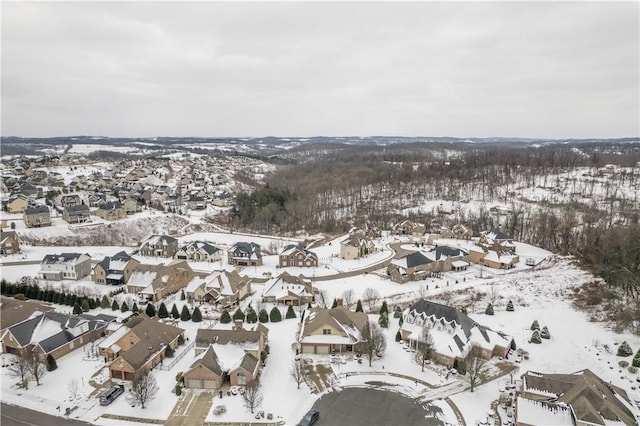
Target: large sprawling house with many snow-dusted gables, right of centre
{"x":453,"y":333}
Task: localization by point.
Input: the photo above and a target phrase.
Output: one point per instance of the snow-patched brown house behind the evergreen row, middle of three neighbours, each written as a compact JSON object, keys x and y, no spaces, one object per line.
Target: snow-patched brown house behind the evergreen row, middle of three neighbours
{"x":226,"y":288}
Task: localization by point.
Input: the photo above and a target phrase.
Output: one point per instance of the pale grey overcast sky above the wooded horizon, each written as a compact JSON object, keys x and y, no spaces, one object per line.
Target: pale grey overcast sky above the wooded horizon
{"x":463,"y":69}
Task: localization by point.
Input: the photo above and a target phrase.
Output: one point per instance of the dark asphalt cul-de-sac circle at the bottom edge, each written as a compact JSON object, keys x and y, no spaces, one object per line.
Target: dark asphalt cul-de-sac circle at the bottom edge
{"x":372,"y":407}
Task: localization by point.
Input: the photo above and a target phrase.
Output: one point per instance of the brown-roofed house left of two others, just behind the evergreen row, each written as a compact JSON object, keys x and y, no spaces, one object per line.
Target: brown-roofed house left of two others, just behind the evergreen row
{"x":155,"y":282}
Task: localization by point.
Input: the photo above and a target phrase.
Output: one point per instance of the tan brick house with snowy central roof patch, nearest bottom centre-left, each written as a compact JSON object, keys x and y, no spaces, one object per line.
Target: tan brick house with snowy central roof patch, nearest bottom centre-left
{"x":227,"y":355}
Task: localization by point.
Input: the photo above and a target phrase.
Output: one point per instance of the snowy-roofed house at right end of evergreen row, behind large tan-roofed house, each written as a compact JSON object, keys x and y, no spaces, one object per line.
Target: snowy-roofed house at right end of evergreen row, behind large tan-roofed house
{"x":289,"y":290}
